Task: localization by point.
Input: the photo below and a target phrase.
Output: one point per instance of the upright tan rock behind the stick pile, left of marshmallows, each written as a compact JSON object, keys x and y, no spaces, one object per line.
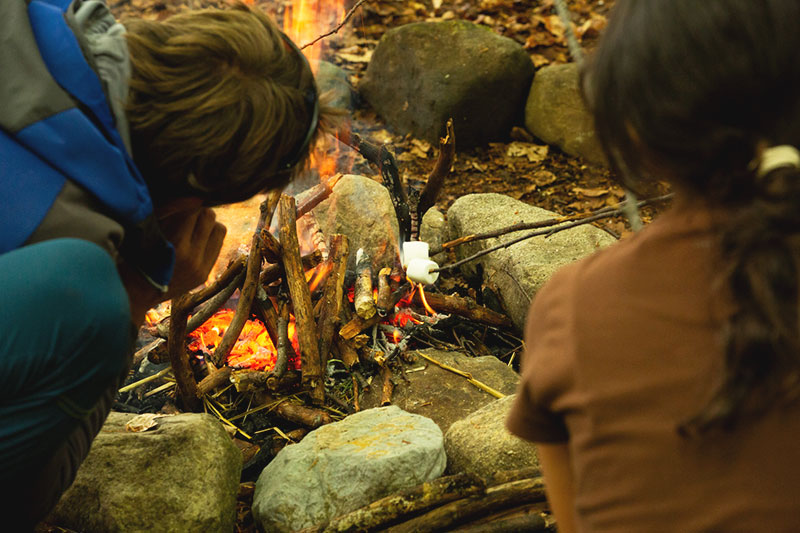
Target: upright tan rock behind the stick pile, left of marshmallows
{"x":362,"y":209}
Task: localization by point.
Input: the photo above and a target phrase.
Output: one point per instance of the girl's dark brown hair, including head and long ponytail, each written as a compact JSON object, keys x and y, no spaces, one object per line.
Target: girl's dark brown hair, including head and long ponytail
{"x":689,"y":91}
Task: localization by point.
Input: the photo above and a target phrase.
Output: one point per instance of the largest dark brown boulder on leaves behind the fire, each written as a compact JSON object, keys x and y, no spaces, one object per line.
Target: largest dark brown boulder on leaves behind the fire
{"x":423,"y":73}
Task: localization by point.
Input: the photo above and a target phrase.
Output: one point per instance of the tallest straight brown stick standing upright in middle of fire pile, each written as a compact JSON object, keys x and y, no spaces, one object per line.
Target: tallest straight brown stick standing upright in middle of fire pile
{"x":301,"y":299}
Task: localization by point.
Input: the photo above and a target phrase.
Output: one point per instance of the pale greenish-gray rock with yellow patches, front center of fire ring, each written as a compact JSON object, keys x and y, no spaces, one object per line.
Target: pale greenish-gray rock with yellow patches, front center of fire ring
{"x":345,"y":465}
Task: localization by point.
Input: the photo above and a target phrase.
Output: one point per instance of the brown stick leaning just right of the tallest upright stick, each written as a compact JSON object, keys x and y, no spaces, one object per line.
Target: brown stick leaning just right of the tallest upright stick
{"x":332,"y":296}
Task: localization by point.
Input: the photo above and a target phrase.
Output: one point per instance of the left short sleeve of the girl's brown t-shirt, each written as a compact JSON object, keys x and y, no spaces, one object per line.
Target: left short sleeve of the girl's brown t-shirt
{"x":537,"y":413}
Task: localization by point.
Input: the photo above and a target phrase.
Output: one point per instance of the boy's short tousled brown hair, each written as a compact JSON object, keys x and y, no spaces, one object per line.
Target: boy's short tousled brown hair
{"x":217,"y":99}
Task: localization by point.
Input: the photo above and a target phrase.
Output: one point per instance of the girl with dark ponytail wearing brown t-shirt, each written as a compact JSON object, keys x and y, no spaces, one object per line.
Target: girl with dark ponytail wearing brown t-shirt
{"x":661,"y":375}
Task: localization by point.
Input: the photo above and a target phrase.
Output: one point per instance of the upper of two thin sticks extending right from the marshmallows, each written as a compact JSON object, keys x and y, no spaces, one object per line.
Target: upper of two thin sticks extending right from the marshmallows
{"x":570,"y":221}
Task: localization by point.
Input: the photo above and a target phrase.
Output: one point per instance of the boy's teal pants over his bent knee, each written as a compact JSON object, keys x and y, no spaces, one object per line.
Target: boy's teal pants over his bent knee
{"x":65,"y":340}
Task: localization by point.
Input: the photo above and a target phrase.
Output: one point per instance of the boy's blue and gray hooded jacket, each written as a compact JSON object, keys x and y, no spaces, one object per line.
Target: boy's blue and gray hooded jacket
{"x":65,"y":163}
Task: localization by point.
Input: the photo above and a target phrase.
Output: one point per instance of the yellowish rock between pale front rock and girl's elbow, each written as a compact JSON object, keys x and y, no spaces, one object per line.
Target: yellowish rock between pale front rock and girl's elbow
{"x":481,"y":445}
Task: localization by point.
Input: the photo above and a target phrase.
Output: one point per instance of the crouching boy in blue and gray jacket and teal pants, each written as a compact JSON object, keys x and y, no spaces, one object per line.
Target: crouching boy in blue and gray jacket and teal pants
{"x":114,"y":144}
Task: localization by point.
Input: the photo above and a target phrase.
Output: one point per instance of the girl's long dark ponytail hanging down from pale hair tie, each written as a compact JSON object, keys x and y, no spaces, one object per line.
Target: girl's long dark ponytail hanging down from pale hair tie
{"x":759,"y":245}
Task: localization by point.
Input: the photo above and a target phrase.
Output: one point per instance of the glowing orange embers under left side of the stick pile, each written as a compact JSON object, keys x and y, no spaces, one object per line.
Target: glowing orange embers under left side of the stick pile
{"x":254,"y":349}
